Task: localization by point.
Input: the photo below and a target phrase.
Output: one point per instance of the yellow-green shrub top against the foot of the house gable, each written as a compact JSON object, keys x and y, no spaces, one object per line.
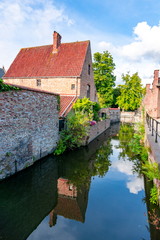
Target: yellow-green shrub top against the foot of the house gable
{"x":89,"y":107}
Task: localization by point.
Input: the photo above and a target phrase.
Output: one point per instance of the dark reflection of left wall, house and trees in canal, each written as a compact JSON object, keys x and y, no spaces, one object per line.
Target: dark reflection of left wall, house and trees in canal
{"x":55,"y":186}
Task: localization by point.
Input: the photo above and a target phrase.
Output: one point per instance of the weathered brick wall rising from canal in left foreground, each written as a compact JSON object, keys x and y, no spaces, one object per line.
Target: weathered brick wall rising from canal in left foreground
{"x":28,"y":129}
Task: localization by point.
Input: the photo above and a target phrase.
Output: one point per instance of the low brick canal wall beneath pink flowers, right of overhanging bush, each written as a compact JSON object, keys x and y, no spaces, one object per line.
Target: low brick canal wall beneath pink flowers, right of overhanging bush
{"x":97,"y":129}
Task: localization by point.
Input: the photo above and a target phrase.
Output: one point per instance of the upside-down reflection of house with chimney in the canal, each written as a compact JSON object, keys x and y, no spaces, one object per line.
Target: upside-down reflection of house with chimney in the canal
{"x":72,"y":202}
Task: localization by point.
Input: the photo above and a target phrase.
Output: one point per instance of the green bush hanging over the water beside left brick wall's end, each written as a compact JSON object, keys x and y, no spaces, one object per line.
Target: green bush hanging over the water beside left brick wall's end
{"x":75,"y":132}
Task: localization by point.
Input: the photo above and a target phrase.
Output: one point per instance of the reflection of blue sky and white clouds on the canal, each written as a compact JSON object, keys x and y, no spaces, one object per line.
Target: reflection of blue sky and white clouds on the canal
{"x":113,"y":213}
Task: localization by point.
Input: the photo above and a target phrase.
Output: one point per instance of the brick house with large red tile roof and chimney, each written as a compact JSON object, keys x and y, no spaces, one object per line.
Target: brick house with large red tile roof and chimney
{"x":63,"y":68}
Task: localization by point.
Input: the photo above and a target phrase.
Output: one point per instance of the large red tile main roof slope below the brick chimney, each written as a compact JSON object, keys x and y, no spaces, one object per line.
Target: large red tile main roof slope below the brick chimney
{"x":41,"y":62}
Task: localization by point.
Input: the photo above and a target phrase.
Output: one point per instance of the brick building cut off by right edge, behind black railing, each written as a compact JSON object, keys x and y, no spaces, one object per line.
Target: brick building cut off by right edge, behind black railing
{"x":151,"y":100}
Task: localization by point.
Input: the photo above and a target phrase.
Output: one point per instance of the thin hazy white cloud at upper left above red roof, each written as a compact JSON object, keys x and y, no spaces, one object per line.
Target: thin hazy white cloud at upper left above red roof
{"x":28,"y":23}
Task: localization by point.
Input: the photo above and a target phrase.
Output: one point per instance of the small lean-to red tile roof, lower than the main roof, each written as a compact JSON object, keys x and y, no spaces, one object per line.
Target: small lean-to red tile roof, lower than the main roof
{"x":66,"y":103}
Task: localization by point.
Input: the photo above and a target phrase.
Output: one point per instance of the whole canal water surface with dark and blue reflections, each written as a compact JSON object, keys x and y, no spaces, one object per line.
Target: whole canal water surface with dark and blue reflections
{"x":93,"y":193}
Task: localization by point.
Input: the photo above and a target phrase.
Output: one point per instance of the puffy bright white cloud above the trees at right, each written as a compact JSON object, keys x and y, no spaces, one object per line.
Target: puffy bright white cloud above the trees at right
{"x":141,"y":55}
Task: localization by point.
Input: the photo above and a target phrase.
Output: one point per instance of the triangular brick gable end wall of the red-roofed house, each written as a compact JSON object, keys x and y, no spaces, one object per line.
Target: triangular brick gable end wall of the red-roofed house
{"x":88,"y":79}
